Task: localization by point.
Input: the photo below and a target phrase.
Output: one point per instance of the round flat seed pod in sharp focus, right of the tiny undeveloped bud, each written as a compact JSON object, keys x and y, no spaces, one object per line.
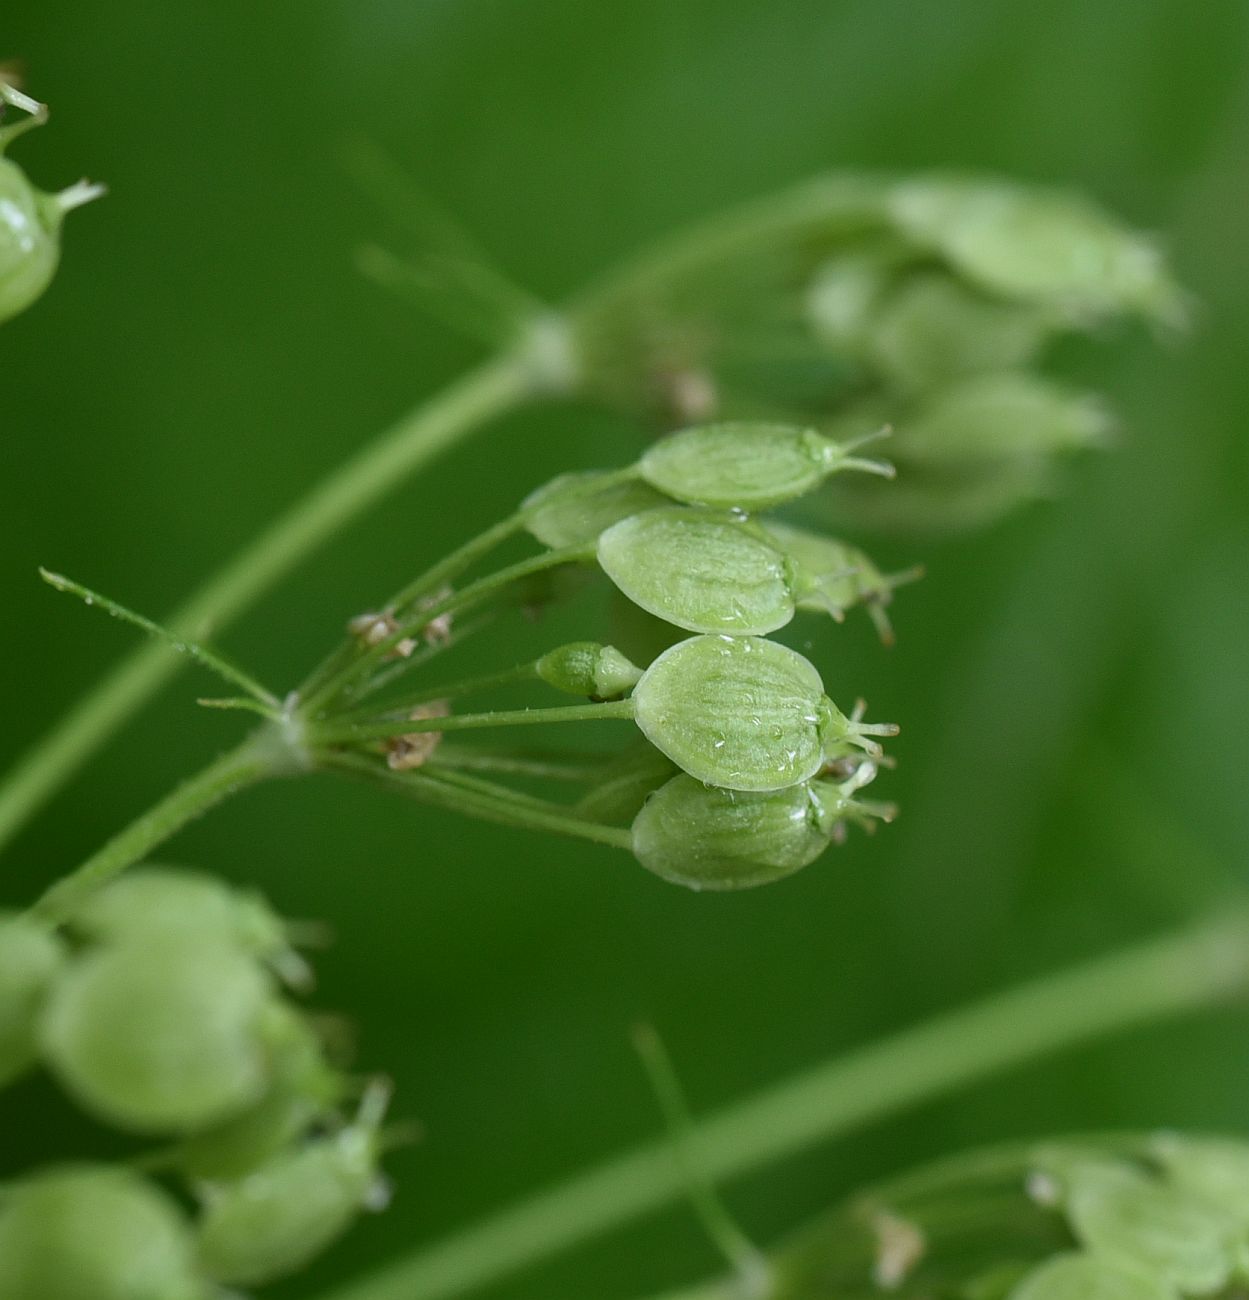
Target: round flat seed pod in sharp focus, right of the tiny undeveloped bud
{"x":744,"y":713}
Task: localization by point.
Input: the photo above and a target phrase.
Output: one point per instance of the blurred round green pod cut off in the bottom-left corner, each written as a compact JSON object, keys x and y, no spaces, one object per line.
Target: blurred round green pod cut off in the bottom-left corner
{"x":94,"y":1233}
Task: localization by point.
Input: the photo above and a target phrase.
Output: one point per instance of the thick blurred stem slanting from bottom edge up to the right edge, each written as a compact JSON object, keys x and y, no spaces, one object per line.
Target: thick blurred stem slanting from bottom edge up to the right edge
{"x":1179,"y":973}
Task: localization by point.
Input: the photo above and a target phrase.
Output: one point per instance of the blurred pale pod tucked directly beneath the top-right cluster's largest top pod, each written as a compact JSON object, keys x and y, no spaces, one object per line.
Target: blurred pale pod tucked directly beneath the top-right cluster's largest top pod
{"x":933,"y":330}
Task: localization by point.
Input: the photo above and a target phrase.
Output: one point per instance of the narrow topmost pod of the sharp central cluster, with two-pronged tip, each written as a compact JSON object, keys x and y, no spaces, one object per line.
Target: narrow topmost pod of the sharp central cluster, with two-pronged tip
{"x":747,"y":466}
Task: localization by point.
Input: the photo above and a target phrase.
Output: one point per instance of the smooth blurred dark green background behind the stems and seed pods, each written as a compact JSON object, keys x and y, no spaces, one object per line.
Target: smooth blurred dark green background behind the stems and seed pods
{"x":1073,"y":686}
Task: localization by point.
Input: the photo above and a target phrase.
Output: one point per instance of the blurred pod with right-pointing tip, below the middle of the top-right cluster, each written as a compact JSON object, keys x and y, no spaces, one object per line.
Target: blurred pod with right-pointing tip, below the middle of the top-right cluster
{"x":1001,"y":418}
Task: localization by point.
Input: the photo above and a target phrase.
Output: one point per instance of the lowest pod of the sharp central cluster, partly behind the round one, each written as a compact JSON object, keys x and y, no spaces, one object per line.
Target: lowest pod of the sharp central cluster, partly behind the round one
{"x":706,"y":838}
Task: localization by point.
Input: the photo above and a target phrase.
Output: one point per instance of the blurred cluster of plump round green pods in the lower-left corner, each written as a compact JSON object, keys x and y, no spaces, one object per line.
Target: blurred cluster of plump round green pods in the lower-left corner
{"x":161,"y":1012}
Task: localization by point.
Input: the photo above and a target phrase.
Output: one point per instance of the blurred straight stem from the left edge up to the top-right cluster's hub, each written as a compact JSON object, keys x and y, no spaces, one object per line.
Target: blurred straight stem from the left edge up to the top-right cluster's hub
{"x":491,"y":391}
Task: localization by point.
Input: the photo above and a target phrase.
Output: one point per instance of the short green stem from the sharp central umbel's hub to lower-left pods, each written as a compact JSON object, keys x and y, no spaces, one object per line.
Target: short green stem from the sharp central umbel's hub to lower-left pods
{"x":251,"y":762}
